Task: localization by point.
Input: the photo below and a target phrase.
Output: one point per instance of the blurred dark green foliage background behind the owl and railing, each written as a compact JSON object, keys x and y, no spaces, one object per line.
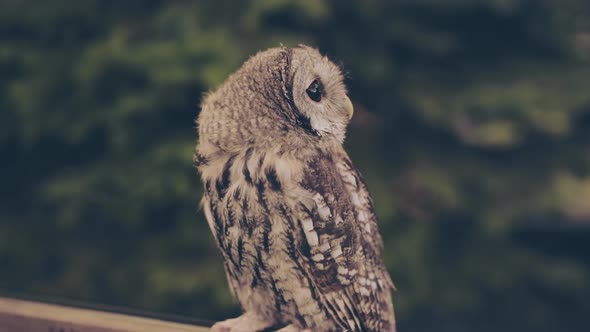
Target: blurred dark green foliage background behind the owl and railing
{"x":472,"y":128}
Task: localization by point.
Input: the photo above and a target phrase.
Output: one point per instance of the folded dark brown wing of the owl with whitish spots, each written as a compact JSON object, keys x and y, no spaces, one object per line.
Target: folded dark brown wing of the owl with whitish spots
{"x":341,"y":251}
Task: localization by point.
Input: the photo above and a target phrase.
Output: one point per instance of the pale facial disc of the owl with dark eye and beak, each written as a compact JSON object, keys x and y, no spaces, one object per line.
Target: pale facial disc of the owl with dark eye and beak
{"x":319,"y":92}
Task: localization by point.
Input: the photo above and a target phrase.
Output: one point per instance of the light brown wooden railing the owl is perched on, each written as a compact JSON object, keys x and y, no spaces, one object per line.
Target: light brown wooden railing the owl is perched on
{"x":30,"y":316}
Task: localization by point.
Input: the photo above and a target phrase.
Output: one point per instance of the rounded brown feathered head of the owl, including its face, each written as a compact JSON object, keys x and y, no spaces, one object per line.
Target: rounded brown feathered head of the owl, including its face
{"x":279,"y":96}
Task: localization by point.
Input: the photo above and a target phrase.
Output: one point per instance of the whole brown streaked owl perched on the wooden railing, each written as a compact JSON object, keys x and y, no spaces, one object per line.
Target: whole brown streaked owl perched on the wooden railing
{"x":290,"y":213}
